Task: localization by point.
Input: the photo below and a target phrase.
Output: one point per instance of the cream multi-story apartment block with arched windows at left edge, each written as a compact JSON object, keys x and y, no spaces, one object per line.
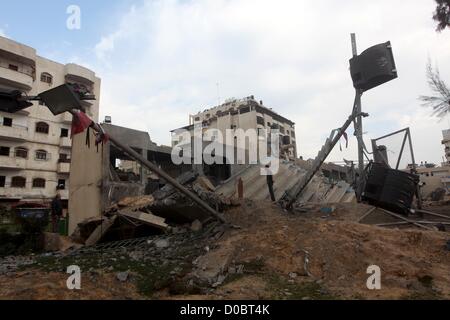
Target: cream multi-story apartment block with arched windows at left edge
{"x":35,"y":145}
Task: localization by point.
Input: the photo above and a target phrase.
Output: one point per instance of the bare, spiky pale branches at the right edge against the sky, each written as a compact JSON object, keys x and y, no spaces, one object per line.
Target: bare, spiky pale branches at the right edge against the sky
{"x":440,"y":100}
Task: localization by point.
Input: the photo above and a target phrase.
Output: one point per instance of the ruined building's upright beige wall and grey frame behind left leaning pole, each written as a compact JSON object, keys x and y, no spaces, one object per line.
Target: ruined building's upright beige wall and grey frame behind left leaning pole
{"x":98,"y":180}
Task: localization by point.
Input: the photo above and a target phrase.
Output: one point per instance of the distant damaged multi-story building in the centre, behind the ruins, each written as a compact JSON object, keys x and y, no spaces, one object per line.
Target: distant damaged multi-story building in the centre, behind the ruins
{"x":244,"y":114}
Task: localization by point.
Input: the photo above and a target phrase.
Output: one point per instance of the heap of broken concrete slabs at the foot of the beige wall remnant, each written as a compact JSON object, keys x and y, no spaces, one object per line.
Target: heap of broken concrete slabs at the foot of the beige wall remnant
{"x":134,"y":217}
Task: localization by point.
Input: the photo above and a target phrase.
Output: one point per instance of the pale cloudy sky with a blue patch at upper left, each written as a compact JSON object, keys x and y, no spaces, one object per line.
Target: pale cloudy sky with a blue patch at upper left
{"x":161,"y":60}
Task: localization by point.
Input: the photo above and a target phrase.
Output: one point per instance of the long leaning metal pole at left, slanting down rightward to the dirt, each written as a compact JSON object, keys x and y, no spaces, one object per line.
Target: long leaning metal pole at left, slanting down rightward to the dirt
{"x":151,"y":166}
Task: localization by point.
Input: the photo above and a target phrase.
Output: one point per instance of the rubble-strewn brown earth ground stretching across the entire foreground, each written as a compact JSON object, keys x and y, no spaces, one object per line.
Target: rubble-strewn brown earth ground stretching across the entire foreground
{"x":272,"y":255}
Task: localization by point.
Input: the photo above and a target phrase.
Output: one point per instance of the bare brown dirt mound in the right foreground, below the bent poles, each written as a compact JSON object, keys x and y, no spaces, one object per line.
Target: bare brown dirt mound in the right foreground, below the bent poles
{"x":333,"y":254}
